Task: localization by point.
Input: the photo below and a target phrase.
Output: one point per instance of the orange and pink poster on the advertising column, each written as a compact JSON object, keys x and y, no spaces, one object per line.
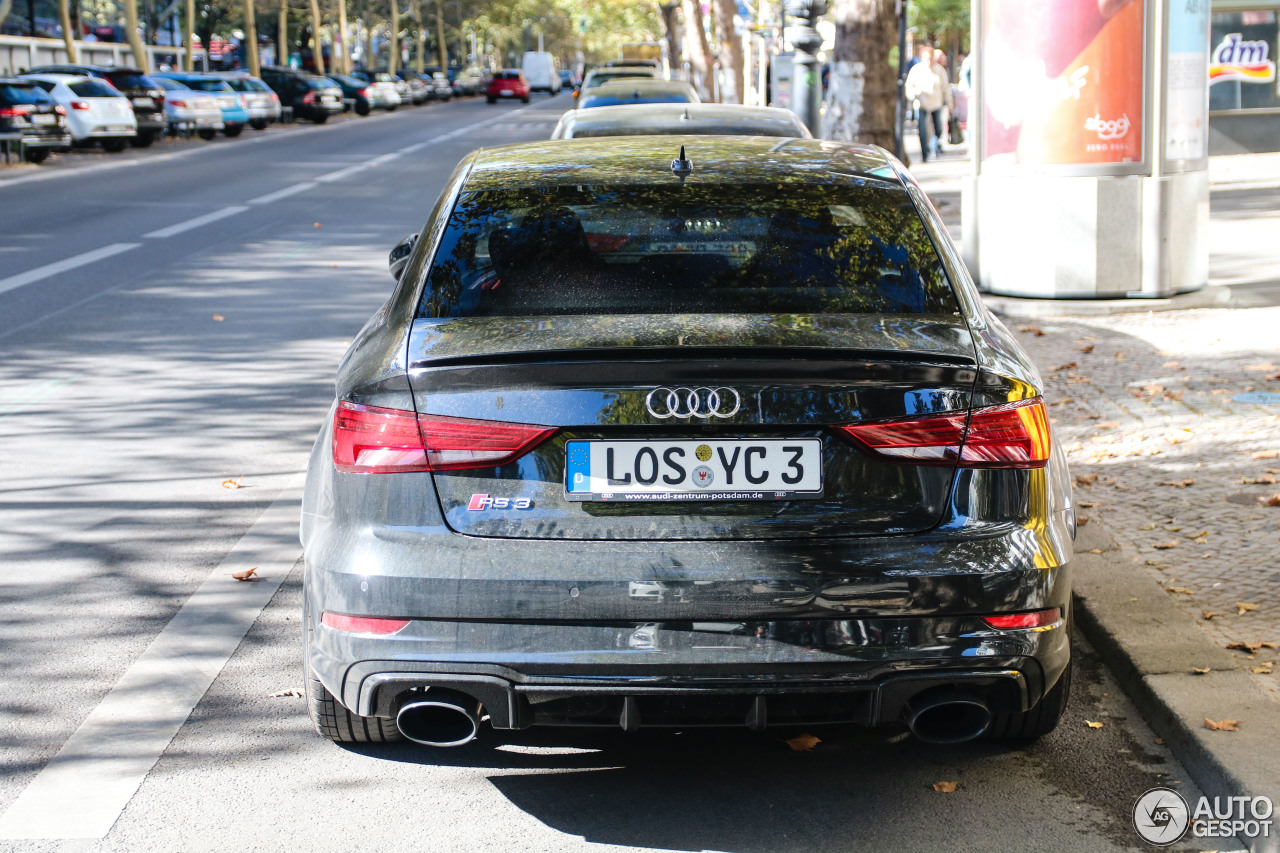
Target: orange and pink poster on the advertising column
{"x":1063,"y":81}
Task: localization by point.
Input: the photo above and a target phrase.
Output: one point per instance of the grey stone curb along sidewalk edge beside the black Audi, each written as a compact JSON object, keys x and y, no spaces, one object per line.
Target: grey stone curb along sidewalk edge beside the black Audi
{"x":1151,"y":647}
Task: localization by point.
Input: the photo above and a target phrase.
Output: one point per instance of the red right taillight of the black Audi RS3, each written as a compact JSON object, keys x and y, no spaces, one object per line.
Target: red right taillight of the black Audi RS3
{"x":1008,"y":436}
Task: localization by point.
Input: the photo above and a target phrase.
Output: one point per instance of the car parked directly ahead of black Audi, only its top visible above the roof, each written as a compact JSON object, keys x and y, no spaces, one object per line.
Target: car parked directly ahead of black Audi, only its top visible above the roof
{"x":701,"y":120}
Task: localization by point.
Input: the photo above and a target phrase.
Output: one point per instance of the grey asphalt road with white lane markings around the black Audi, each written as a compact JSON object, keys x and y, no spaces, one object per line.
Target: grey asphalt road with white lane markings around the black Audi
{"x":168,"y":323}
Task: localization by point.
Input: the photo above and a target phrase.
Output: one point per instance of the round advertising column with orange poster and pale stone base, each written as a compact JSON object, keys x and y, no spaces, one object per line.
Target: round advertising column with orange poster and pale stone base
{"x":1085,"y":108}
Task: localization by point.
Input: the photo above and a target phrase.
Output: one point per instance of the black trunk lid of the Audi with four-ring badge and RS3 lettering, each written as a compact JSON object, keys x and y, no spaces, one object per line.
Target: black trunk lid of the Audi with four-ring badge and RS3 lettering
{"x":596,"y":377}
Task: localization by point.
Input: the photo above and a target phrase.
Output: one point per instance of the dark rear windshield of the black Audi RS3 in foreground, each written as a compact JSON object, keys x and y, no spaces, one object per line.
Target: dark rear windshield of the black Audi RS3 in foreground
{"x":685,"y":249}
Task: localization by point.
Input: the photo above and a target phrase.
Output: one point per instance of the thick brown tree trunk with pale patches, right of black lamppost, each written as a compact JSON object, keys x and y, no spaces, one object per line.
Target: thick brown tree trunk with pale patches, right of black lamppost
{"x":862,"y":102}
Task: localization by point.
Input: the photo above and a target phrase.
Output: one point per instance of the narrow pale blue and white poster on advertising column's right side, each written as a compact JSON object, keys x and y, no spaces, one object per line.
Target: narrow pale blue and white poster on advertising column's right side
{"x":1187,"y":99}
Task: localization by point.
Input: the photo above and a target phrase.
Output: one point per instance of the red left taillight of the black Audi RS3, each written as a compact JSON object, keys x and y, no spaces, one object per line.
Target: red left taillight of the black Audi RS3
{"x":371,"y":440}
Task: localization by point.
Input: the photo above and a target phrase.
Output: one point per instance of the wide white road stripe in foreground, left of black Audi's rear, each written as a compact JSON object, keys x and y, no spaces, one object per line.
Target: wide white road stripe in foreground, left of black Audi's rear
{"x":83,"y":791}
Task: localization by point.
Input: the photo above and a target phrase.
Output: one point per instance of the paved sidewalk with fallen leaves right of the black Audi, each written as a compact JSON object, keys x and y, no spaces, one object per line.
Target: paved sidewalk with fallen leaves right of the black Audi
{"x":1172,"y":426}
